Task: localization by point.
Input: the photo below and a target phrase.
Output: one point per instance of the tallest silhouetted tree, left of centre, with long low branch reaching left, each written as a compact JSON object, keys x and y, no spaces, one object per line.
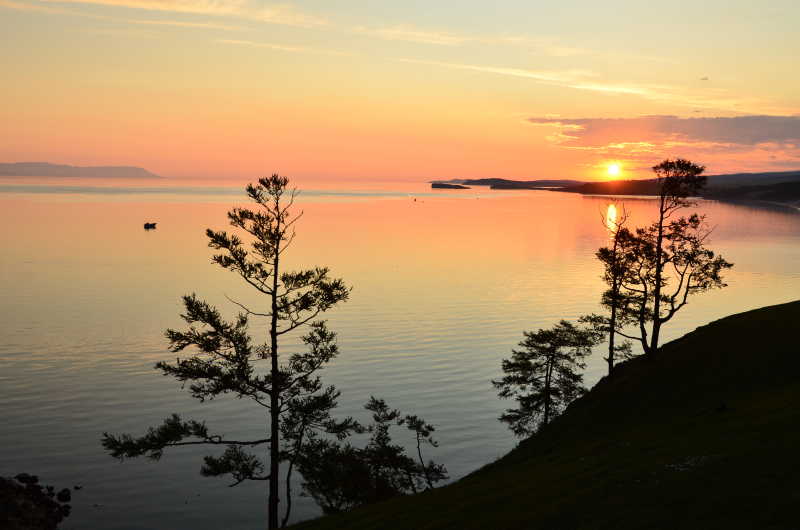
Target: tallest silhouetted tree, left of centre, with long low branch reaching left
{"x":228,"y":362}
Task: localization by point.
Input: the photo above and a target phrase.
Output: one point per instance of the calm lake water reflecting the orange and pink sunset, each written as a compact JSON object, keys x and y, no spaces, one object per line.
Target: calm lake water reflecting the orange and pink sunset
{"x":443,"y":288}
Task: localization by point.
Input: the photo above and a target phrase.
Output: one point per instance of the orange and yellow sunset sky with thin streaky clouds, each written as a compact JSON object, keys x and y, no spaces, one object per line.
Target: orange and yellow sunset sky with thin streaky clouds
{"x":400,"y":90}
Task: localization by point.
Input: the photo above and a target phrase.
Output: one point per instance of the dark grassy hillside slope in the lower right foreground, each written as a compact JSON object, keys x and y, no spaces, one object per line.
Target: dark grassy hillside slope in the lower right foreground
{"x":704,"y":435}
